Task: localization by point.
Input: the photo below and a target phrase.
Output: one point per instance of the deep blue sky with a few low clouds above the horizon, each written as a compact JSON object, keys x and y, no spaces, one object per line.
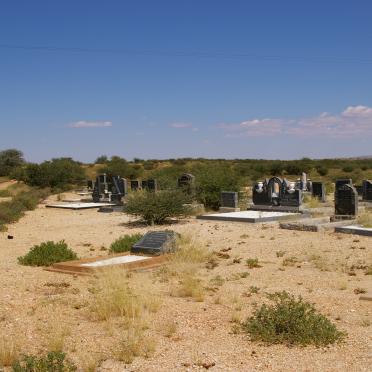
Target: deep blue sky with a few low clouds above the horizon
{"x":165,"y":79}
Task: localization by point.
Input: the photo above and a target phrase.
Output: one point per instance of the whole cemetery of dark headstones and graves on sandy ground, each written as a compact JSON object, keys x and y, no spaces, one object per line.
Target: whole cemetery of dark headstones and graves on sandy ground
{"x":184,"y":274}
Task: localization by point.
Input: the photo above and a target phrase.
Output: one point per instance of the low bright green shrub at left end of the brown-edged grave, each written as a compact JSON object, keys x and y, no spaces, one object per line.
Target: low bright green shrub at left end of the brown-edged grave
{"x":47,"y":253}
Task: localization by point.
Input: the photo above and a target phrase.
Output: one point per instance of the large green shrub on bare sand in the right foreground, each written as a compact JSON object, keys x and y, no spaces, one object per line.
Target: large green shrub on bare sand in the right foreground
{"x":291,"y":321}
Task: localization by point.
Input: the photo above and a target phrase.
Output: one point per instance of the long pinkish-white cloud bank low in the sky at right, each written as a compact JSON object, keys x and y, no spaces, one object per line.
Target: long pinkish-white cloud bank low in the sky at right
{"x":353,"y":121}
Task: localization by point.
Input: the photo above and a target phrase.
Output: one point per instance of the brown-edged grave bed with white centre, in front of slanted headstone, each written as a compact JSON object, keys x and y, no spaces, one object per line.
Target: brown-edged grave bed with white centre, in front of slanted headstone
{"x":126,"y":261}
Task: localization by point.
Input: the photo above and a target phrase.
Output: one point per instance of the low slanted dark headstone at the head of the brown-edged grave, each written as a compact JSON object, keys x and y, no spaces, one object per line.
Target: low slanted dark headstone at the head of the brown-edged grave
{"x":156,"y":243}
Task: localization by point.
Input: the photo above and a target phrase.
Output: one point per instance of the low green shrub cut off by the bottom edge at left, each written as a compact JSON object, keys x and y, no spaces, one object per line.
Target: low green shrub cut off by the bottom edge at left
{"x":52,"y":362}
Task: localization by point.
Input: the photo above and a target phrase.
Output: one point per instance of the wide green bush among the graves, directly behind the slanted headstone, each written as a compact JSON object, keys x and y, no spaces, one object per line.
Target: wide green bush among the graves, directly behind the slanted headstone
{"x":156,"y":208}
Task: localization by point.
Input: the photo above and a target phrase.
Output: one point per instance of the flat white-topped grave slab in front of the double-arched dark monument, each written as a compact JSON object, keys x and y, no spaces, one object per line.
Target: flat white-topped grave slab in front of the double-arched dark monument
{"x":250,"y":216}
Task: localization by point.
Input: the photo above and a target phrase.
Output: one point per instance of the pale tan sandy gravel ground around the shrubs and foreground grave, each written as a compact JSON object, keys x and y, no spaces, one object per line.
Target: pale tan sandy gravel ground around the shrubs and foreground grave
{"x":204,"y":329}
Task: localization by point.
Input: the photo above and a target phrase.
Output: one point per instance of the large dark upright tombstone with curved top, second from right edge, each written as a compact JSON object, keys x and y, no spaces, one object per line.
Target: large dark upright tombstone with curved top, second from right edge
{"x":346,"y":198}
